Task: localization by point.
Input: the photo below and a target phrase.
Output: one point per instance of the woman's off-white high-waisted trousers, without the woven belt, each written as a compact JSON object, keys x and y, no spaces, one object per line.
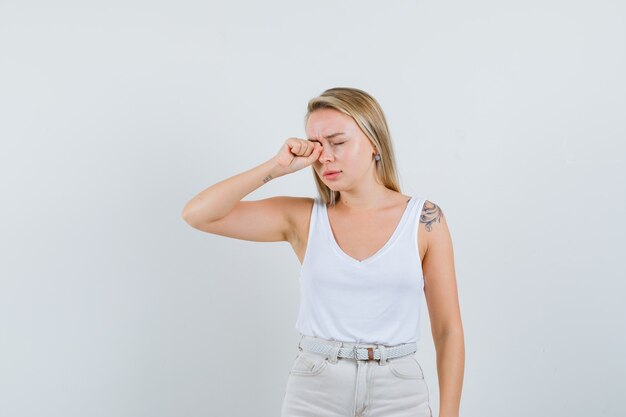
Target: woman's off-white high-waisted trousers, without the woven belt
{"x":331,"y":386}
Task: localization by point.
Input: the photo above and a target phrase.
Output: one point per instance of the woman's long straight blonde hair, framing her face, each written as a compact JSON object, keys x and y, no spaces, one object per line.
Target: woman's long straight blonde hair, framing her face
{"x":369,"y":116}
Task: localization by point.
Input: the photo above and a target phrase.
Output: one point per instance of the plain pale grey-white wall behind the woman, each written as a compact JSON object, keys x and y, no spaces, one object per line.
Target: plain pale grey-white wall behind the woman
{"x":510,"y":115}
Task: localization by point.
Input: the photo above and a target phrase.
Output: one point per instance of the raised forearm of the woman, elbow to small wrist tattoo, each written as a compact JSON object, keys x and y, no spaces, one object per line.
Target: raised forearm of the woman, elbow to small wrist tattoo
{"x":219,"y":199}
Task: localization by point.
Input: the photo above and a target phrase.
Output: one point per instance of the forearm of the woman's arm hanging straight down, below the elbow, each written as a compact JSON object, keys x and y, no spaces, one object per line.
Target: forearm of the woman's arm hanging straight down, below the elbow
{"x":450,"y":369}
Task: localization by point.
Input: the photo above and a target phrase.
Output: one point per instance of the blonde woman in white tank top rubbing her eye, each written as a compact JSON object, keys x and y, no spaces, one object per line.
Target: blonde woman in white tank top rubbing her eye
{"x":368,"y":253}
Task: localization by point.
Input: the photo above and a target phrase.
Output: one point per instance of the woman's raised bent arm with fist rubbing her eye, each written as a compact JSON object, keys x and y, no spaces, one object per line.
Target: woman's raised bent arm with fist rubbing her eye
{"x":219,"y":209}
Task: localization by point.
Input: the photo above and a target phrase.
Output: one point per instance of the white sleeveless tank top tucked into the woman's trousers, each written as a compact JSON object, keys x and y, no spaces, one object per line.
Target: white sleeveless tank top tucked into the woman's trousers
{"x":377,"y":300}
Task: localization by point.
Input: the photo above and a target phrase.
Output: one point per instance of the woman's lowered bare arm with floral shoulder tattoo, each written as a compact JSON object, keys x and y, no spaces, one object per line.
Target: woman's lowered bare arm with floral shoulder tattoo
{"x":440,"y":290}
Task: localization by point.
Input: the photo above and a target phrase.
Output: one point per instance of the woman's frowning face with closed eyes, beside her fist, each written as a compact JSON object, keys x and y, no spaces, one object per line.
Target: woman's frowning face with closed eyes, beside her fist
{"x":345,"y":148}
